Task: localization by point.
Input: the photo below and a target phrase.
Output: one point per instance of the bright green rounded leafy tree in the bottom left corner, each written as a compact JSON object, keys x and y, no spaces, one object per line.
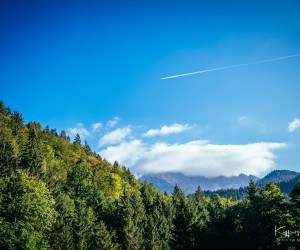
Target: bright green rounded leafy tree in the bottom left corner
{"x":27,"y":212}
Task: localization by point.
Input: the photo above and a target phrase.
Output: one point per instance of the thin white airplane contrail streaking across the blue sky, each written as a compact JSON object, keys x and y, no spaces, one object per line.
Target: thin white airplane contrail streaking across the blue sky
{"x":228,"y":67}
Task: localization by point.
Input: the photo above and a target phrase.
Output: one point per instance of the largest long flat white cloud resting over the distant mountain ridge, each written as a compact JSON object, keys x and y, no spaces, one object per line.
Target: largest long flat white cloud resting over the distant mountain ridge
{"x":195,"y":157}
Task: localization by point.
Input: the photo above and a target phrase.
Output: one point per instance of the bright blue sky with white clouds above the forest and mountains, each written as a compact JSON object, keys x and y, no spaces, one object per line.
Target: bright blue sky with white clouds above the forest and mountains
{"x":96,"y":68}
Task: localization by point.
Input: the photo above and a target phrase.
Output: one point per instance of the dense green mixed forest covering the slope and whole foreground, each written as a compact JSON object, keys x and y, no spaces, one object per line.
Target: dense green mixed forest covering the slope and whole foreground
{"x":58,"y":194}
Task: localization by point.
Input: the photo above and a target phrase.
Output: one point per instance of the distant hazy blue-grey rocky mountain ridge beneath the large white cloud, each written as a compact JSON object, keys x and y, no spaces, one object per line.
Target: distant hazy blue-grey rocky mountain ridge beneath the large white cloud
{"x":189,"y":184}
